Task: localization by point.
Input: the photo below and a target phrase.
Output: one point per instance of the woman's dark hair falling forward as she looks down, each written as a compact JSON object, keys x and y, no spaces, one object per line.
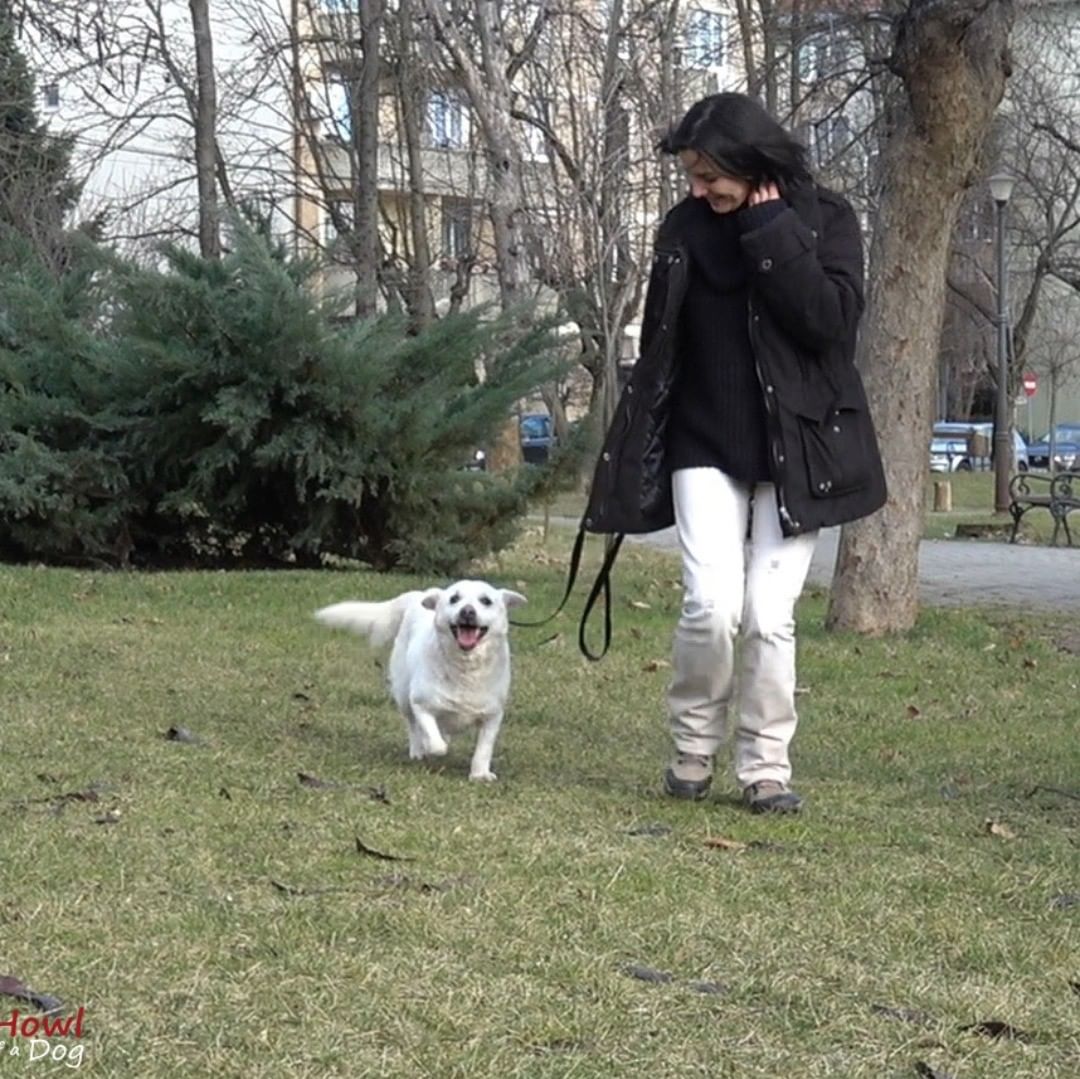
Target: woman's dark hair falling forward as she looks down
{"x":740,"y":138}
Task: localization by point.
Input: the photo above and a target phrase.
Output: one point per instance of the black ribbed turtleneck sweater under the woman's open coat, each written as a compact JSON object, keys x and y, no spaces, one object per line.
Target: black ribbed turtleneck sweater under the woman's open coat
{"x":718,"y":417}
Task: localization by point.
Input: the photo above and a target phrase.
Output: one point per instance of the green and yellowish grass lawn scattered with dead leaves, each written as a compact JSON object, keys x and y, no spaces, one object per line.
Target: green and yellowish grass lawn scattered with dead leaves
{"x":215,"y":918}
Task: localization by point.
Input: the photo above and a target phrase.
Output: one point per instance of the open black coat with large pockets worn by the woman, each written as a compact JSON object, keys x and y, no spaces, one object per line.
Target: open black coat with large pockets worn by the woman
{"x":806,"y":298}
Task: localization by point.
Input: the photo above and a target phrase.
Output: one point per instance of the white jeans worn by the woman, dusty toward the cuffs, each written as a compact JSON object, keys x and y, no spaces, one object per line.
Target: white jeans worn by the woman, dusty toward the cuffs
{"x":734,"y":591}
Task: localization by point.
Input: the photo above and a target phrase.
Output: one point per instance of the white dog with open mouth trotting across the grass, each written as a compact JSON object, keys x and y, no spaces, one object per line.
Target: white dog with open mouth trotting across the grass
{"x":450,"y":662}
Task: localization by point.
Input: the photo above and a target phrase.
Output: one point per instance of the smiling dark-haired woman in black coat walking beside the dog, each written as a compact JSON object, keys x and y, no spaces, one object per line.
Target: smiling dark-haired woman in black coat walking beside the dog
{"x":746,"y":425}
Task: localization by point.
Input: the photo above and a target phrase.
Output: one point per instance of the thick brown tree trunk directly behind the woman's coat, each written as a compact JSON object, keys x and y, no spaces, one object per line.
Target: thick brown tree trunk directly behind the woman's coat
{"x":953,"y":59}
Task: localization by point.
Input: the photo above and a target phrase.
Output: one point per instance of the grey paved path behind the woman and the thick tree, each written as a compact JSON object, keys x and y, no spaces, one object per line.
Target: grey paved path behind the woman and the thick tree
{"x":958,"y":573}
